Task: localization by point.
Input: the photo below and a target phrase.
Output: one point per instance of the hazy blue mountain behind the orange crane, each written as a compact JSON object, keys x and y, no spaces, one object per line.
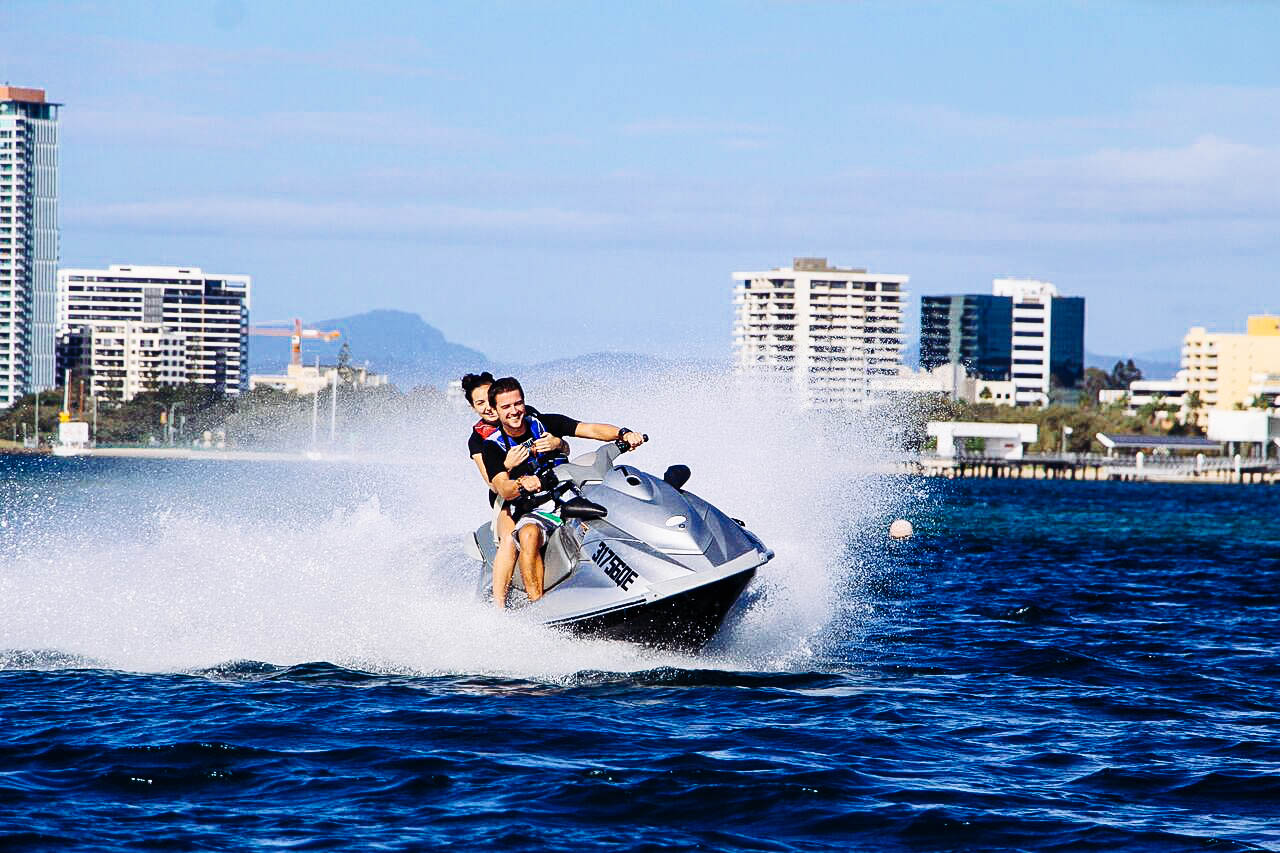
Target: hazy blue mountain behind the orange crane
{"x":394,"y":343}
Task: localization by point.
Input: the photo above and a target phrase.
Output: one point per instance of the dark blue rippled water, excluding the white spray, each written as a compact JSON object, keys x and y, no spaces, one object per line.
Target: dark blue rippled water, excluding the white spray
{"x":1050,"y":667}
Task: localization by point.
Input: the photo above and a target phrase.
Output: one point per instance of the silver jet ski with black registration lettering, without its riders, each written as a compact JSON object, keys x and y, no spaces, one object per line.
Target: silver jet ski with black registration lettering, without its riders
{"x":634,"y":558}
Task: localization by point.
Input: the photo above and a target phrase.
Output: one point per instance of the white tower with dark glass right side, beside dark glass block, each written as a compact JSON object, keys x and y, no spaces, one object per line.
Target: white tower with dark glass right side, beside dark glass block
{"x":1048,"y":339}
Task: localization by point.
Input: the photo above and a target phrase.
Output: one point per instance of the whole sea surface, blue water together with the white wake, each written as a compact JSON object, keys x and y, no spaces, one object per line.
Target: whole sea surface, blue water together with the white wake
{"x":1044,"y":667}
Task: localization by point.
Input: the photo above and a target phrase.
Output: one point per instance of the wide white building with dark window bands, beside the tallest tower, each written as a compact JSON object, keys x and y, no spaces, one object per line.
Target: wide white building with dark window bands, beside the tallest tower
{"x":209,"y":312}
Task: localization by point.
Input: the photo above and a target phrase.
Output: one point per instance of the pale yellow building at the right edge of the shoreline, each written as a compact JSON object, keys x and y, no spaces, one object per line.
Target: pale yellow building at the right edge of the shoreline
{"x":1222,"y":367}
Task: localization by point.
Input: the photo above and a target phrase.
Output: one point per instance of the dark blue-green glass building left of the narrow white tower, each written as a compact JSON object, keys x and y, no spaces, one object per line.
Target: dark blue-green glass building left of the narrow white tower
{"x":975,"y":331}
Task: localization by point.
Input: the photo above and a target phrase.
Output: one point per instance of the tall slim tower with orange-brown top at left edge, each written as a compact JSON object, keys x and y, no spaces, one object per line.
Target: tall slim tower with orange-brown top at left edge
{"x":29,"y":241}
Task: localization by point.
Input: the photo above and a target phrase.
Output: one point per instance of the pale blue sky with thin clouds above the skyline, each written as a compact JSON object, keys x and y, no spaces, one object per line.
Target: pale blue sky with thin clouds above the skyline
{"x":543,"y":180}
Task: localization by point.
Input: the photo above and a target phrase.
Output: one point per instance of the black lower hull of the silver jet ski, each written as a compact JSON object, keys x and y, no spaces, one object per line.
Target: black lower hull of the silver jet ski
{"x":683,"y":622}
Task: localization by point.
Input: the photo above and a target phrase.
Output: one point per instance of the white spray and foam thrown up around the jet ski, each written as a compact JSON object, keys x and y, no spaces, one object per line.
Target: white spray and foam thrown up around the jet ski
{"x":156,"y":574}
